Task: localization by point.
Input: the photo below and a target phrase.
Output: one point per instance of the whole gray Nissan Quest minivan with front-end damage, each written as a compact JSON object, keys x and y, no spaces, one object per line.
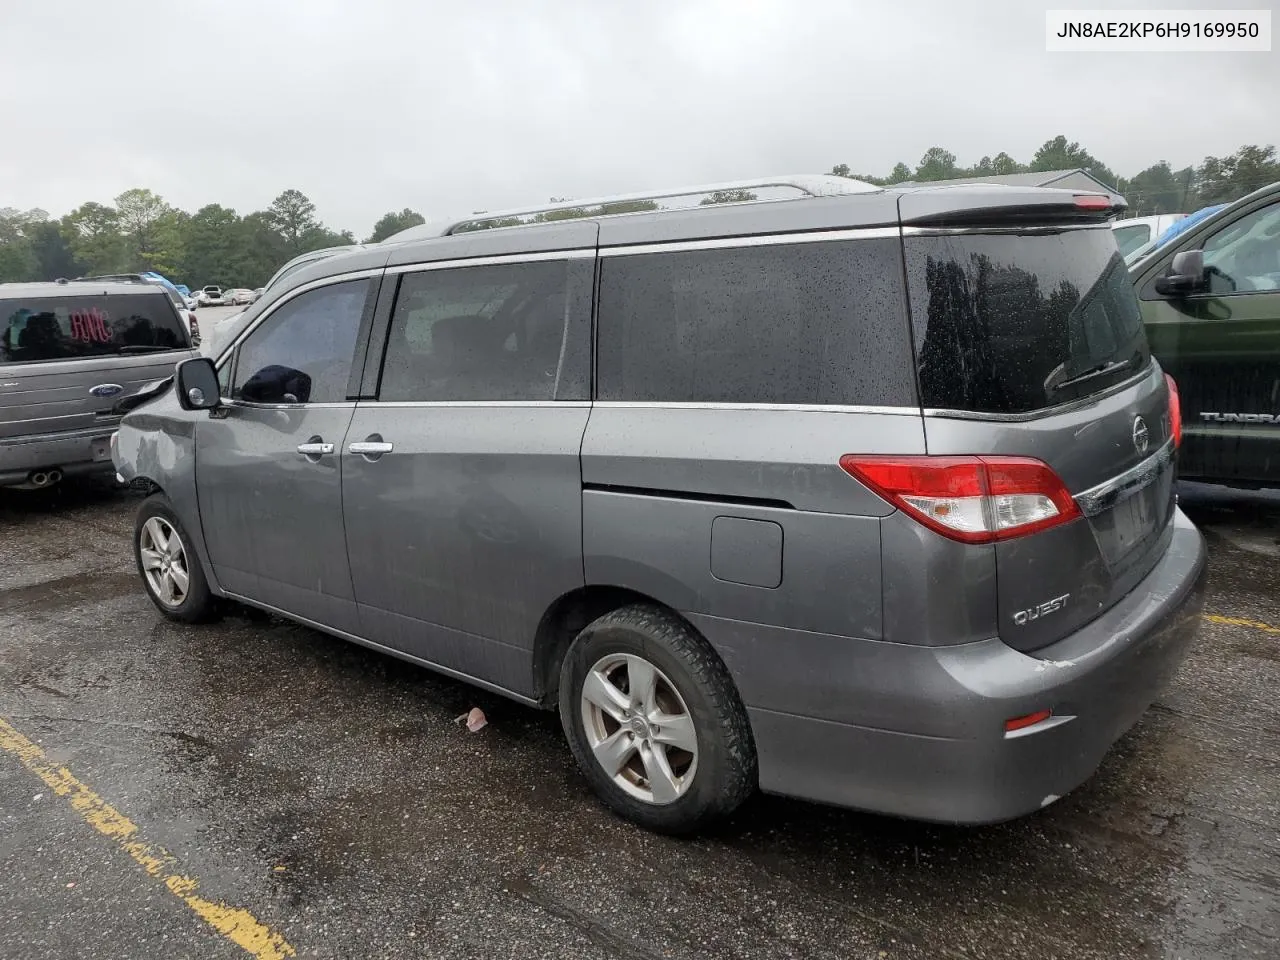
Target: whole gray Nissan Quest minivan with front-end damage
{"x":865,"y":496}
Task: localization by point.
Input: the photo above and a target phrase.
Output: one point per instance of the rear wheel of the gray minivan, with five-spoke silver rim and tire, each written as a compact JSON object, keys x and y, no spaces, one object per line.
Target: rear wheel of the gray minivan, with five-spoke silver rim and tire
{"x":655,"y":721}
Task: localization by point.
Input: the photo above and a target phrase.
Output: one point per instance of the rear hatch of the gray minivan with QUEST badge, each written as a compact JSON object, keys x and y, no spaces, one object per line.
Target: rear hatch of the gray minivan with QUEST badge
{"x":1030,"y":344}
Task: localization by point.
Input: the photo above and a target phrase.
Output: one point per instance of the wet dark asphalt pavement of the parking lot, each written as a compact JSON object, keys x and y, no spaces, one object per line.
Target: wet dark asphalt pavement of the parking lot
{"x":328,"y":794}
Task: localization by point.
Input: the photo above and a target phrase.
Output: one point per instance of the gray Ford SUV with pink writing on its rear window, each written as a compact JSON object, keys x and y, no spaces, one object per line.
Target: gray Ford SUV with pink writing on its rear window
{"x":68,"y":353}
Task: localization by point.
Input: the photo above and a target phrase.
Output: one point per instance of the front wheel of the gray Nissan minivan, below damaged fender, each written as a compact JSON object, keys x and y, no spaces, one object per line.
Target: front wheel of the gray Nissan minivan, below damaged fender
{"x":168,"y":564}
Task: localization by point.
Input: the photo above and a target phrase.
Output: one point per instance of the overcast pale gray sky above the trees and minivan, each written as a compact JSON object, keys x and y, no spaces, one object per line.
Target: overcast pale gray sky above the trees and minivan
{"x":456,"y":107}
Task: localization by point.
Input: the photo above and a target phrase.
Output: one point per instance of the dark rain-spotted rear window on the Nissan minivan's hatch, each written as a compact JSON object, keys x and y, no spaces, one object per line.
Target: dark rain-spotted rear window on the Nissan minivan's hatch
{"x":1018,"y":323}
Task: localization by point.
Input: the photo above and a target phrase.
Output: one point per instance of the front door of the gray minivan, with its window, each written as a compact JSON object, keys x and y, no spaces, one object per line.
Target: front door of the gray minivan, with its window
{"x":269,"y":472}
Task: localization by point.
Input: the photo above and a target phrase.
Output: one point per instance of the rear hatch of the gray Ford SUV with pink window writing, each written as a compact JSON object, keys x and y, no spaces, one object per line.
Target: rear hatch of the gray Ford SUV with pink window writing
{"x":65,"y":362}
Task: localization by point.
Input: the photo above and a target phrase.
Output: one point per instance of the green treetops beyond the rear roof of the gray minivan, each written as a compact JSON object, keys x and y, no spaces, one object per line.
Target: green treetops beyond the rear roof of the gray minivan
{"x":1158,"y":190}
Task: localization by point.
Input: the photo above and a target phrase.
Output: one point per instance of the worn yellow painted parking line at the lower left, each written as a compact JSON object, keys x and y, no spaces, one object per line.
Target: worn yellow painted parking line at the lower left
{"x":239,"y":926}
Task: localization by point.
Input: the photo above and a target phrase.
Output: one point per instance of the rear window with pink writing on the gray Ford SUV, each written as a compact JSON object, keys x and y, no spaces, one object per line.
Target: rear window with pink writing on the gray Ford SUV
{"x":66,"y":328}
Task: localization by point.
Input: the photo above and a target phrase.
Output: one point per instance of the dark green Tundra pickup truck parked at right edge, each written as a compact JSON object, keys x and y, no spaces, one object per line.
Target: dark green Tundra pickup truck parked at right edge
{"x":1212,"y":304}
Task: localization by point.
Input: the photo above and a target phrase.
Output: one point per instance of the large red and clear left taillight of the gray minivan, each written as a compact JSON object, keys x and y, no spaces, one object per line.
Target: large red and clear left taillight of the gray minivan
{"x":973,"y":500}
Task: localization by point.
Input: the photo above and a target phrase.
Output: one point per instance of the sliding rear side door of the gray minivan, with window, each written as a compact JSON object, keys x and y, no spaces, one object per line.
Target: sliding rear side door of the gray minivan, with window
{"x":461,"y":483}
